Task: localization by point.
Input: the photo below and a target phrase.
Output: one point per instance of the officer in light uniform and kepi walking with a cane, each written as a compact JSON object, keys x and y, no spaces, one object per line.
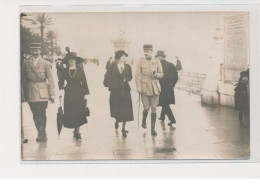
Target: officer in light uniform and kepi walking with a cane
{"x":148,"y":73}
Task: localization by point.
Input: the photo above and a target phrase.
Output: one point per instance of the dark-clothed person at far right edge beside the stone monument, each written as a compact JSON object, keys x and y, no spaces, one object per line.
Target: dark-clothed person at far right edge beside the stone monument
{"x":242,"y":98}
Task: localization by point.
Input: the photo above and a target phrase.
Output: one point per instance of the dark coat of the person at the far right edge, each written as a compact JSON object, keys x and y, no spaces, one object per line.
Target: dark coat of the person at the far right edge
{"x":241,"y":97}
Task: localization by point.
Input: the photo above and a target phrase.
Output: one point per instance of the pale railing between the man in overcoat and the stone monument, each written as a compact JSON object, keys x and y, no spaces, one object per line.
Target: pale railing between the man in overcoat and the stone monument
{"x":190,"y":82}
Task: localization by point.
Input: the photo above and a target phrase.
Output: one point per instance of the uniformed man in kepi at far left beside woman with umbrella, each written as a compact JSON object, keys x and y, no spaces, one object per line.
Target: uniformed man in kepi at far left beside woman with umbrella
{"x":37,"y":88}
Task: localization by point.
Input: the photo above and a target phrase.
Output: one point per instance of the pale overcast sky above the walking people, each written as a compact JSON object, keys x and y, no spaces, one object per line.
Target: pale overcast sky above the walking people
{"x":187,"y":35}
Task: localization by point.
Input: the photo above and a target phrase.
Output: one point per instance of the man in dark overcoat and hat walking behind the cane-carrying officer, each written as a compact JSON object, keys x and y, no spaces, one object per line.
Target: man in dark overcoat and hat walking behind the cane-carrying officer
{"x":168,"y":82}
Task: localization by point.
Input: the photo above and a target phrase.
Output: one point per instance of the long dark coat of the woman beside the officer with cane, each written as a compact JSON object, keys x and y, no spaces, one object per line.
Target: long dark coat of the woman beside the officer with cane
{"x":121,"y":107}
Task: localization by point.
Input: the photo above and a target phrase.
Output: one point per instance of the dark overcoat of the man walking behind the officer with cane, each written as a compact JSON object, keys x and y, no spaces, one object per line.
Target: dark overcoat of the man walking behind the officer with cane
{"x":168,"y":82}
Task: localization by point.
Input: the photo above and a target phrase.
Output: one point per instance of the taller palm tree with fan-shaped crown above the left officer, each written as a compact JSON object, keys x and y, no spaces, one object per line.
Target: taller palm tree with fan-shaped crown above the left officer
{"x":43,"y":20}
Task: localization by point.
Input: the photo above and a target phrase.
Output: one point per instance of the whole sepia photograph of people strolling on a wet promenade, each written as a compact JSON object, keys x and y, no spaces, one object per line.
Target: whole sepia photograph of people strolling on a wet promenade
{"x":101,"y":86}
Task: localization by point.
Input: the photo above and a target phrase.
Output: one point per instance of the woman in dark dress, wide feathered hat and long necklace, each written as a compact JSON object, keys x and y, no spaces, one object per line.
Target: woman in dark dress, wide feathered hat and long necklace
{"x":75,"y":98}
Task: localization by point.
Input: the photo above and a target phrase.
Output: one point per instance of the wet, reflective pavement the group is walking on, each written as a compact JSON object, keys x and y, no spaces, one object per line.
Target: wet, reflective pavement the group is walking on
{"x":201,"y":132}
